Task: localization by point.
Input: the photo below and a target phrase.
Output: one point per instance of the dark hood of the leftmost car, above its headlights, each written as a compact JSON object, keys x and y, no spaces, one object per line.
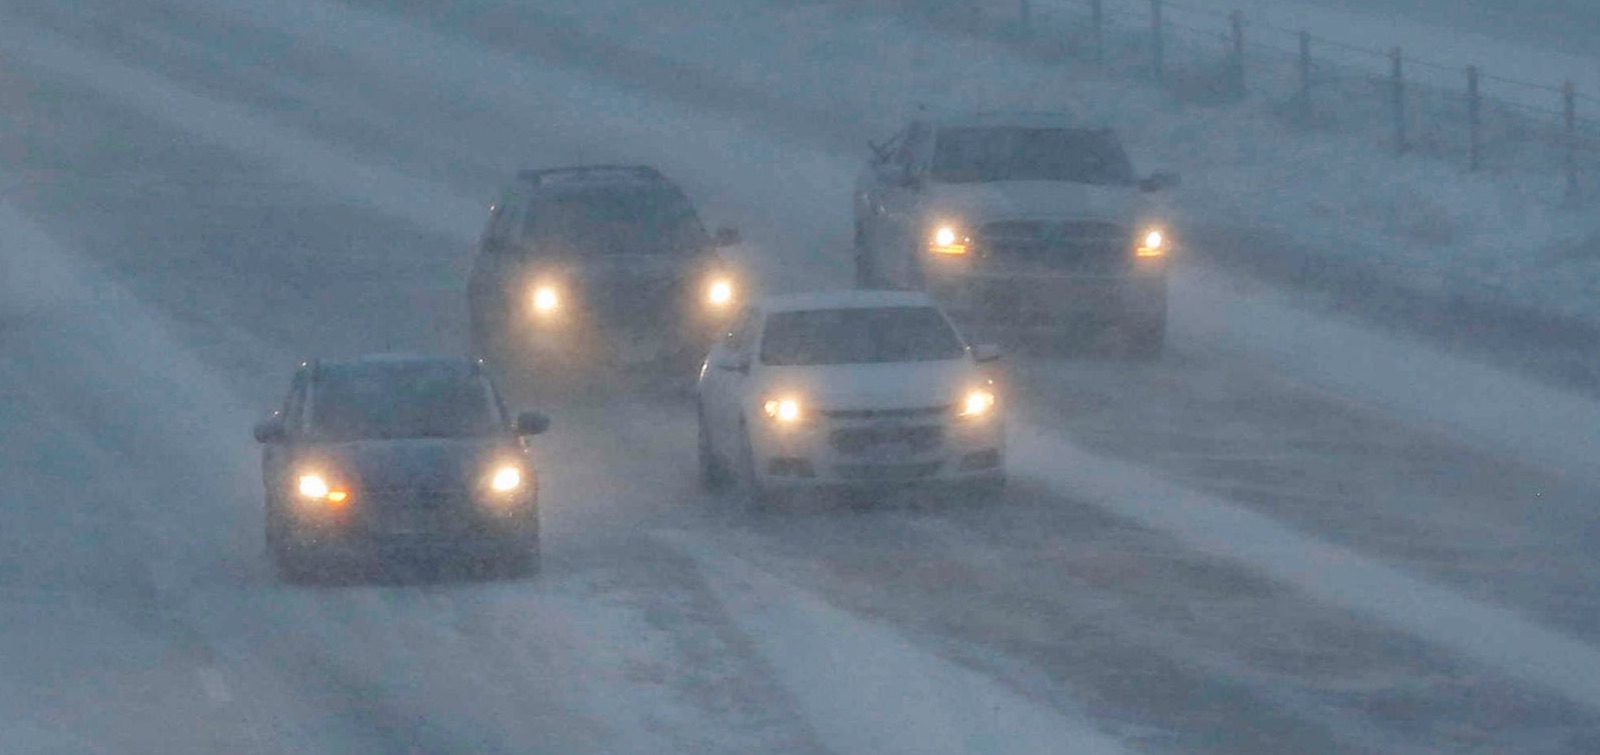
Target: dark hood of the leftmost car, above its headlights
{"x":415,"y":463}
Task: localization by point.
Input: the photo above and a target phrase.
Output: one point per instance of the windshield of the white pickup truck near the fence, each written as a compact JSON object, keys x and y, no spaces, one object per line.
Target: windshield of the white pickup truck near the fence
{"x":1031,"y":154}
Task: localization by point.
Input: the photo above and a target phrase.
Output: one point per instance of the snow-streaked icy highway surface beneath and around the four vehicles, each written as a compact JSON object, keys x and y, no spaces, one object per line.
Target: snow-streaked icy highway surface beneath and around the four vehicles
{"x":1250,"y":548}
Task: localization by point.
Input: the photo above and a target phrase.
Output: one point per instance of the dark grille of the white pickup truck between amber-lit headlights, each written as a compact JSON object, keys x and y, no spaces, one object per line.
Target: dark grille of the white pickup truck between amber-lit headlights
{"x":1073,"y":247}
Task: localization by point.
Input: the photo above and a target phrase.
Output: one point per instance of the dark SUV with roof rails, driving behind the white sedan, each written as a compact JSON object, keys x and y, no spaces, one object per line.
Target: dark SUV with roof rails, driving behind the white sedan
{"x":599,"y":266}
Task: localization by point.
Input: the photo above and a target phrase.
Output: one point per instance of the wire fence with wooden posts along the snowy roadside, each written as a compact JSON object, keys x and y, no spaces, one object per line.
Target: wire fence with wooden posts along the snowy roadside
{"x":1410,"y":106}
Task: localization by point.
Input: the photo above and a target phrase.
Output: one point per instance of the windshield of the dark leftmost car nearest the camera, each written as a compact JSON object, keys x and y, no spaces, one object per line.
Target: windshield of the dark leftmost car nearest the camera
{"x":401,"y":402}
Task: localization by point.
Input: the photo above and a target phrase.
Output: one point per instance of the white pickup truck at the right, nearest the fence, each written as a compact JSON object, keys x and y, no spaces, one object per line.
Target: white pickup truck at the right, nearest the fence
{"x":1020,"y":226}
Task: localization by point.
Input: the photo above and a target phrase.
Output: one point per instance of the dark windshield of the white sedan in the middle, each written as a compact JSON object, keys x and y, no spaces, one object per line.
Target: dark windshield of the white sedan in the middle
{"x":860,"y":337}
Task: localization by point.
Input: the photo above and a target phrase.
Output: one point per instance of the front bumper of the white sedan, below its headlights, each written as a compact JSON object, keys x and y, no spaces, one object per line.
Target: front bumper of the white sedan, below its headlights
{"x":860,"y":450}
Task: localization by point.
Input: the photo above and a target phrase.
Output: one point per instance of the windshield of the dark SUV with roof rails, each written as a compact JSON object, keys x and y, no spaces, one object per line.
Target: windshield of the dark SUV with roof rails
{"x":617,"y":222}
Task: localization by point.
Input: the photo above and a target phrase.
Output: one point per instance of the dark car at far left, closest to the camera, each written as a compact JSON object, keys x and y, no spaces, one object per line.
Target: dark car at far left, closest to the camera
{"x":388,"y":457}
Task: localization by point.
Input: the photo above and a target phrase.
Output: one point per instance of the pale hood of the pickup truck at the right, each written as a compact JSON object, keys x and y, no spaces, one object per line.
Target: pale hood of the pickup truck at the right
{"x":1034,"y":201}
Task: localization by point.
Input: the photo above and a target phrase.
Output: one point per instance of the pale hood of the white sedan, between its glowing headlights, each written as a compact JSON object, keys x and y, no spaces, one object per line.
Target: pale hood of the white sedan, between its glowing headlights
{"x":858,"y":388}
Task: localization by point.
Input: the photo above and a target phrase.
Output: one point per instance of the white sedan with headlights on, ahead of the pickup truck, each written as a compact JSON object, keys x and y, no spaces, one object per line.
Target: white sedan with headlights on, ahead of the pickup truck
{"x":849,"y":389}
